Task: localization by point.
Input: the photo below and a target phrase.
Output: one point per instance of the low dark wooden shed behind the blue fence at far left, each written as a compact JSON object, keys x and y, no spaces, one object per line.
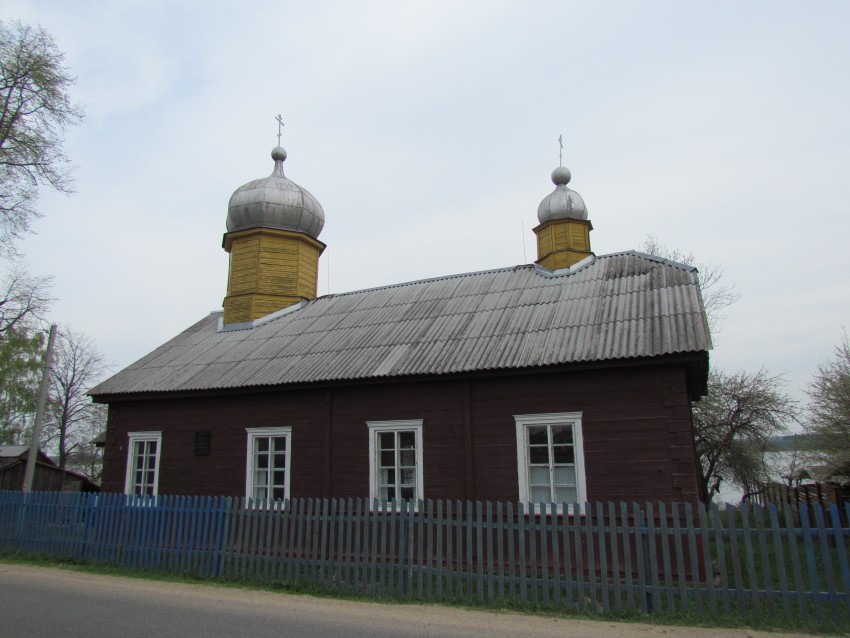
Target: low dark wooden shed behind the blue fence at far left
{"x":48,"y":476}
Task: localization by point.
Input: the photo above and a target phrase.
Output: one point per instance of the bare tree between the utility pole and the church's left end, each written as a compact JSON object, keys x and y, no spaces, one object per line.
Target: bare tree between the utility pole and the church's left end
{"x":73,"y":420}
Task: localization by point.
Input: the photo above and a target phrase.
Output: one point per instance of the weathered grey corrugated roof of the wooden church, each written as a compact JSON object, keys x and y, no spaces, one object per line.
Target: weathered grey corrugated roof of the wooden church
{"x":610,"y":307}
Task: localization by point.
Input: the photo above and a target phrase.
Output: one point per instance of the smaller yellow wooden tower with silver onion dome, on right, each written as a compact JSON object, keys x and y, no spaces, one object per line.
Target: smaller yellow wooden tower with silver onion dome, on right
{"x":563,"y":236}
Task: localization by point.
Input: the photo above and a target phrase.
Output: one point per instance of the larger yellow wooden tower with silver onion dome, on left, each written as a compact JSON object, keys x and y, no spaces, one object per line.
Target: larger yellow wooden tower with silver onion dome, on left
{"x":273,"y":226}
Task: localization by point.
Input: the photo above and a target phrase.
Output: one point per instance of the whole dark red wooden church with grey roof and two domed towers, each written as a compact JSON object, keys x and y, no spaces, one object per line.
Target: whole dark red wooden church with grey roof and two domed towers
{"x":568,"y":379}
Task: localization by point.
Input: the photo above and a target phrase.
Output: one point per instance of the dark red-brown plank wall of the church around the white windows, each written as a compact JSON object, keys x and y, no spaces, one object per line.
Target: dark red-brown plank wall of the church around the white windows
{"x":637,"y":429}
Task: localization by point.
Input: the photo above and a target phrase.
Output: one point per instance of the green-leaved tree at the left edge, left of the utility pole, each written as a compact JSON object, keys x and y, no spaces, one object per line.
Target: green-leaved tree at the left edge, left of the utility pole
{"x":20,"y":367}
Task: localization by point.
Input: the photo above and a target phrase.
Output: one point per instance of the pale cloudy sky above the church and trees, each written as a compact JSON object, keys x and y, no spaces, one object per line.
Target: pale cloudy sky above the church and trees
{"x":428,"y":132}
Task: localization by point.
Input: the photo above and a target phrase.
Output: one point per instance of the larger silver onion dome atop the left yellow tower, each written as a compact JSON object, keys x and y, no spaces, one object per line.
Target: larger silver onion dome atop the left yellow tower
{"x":275,"y":202}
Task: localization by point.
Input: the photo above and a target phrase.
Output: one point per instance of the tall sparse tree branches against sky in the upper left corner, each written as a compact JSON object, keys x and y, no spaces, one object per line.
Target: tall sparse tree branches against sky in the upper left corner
{"x":36,"y":109}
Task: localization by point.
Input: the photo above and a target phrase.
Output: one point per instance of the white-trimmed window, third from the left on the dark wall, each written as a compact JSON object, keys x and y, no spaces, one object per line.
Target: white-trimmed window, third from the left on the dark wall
{"x":395,"y":460}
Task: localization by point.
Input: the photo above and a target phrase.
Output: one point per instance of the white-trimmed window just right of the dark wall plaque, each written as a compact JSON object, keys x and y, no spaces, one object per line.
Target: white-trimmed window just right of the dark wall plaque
{"x":268,"y":463}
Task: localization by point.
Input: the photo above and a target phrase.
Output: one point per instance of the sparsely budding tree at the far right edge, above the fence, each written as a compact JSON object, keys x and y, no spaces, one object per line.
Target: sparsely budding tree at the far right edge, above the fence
{"x":829,"y":406}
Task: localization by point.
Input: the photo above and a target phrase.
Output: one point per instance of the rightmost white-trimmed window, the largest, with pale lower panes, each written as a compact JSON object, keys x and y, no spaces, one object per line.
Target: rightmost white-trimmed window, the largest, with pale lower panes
{"x":550,"y":458}
